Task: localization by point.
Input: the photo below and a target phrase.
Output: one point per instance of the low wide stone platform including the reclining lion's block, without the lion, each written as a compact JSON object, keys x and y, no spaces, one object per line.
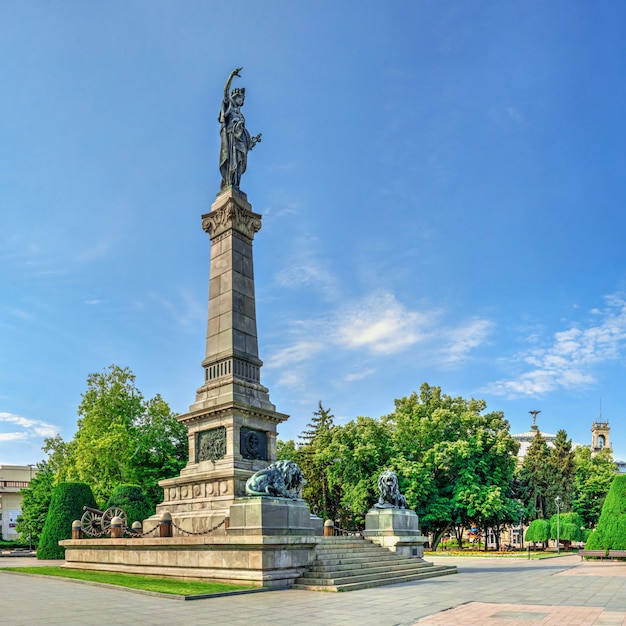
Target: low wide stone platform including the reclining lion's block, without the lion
{"x":268,"y":543}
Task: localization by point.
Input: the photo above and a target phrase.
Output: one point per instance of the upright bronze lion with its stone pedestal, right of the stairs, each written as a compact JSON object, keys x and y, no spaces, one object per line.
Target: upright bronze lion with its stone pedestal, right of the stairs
{"x":390,"y":523}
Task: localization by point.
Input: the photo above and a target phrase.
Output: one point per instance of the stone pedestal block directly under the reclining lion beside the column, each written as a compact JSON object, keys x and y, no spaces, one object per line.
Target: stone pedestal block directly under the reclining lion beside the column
{"x":270,"y":516}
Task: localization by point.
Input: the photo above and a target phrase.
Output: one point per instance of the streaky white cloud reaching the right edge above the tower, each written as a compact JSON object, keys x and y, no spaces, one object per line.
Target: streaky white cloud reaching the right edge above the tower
{"x":567,"y":362}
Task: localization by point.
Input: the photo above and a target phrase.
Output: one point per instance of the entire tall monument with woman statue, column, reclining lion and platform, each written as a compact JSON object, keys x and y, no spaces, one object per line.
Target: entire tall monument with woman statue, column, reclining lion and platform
{"x":235,"y":513}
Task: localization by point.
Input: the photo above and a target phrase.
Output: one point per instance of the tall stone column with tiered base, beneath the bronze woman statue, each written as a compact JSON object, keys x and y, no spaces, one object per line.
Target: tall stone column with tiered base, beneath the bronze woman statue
{"x":232,"y":423}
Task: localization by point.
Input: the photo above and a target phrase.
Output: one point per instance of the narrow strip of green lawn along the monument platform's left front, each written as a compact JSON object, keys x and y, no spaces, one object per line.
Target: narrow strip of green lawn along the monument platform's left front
{"x":146,"y":583}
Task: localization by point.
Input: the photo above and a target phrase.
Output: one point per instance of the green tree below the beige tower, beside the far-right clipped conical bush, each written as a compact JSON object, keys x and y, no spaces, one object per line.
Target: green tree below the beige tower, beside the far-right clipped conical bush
{"x":593,"y":476}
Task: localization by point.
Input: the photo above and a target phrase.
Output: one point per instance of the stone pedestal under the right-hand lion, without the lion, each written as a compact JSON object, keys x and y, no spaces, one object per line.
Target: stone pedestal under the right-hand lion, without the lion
{"x":395,"y":529}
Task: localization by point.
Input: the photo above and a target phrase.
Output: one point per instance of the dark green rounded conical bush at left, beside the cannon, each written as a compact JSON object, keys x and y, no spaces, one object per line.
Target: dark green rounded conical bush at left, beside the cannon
{"x":66,"y":506}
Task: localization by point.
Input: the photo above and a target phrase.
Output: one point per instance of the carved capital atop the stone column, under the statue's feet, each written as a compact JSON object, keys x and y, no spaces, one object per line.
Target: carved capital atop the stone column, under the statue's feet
{"x":231,"y":211}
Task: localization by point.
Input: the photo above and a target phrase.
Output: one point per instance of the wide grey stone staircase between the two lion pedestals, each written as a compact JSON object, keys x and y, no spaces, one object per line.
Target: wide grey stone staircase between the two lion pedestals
{"x":349,"y":563}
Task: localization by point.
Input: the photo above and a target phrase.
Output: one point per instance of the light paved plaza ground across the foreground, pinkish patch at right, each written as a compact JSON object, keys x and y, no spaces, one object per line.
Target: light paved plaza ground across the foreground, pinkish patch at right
{"x":486,"y":591}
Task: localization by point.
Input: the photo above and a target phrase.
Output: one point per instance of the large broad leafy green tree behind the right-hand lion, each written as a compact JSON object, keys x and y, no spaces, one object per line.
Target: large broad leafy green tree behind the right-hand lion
{"x":455,"y":461}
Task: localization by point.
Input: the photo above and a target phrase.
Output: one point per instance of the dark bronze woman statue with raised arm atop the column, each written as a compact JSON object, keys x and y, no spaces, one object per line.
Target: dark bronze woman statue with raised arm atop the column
{"x":235,"y":138}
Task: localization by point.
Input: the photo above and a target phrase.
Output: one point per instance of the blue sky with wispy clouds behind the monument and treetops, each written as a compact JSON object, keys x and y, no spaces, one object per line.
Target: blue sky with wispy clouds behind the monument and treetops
{"x":441,"y":185}
